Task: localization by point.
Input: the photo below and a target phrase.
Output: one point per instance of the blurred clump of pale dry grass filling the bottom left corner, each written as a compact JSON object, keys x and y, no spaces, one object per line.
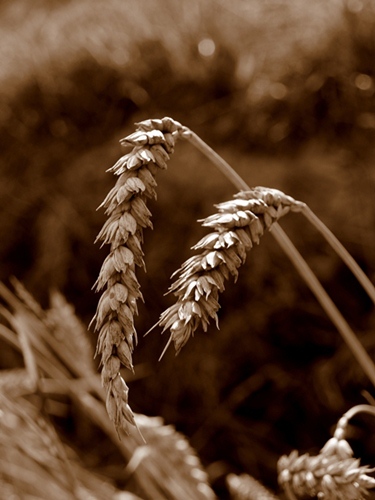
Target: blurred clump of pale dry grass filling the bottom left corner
{"x":38,"y":464}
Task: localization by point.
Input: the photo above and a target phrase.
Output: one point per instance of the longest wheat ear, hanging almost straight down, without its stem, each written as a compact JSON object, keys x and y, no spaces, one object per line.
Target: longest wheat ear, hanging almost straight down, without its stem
{"x":152,"y":143}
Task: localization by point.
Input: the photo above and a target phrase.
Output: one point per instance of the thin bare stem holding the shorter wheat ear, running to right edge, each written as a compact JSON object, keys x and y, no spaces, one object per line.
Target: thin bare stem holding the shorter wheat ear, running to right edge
{"x":341,"y":251}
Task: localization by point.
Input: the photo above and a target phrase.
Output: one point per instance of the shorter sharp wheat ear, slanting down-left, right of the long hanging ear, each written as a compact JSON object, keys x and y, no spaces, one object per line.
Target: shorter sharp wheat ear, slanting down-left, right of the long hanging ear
{"x":238,"y":226}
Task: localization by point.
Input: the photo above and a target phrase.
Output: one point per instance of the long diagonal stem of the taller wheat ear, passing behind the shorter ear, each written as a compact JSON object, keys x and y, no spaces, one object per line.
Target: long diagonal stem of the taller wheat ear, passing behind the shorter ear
{"x":297,"y":260}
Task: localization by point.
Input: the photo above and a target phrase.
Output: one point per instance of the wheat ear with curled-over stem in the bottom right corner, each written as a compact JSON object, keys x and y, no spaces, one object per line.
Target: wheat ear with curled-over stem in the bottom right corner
{"x":333,"y":474}
